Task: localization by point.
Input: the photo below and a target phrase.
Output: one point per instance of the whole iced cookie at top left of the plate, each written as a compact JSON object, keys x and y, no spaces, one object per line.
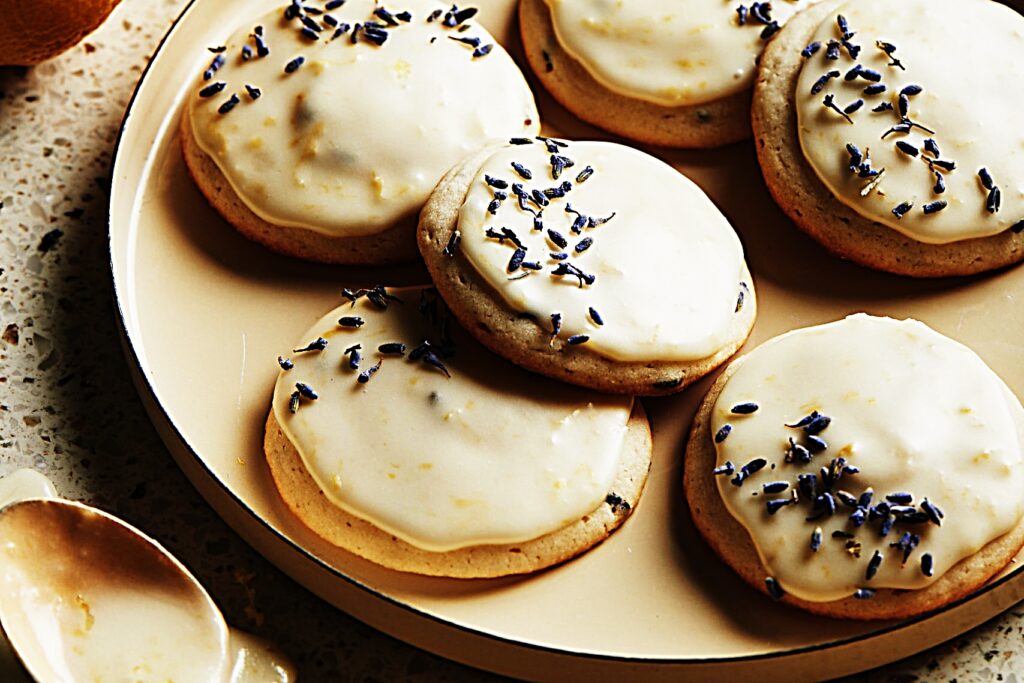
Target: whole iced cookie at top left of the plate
{"x":321,"y":131}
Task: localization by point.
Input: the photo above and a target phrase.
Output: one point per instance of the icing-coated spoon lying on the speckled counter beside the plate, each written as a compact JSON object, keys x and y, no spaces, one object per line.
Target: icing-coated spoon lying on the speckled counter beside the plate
{"x":87,"y":597}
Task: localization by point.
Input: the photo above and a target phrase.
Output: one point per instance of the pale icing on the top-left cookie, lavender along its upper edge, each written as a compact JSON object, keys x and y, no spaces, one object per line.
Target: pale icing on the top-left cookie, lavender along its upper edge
{"x":356,"y":139}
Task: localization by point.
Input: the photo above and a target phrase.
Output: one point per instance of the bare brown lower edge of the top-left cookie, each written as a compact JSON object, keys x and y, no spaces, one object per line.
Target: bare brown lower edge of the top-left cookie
{"x":396,"y":245}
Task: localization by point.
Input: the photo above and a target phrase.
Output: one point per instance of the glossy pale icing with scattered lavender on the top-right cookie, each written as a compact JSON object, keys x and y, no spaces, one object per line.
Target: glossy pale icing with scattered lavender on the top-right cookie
{"x":963,"y":94}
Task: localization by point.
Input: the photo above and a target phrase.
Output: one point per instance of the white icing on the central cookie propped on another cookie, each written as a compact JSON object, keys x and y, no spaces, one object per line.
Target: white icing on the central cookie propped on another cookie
{"x":668,"y":266}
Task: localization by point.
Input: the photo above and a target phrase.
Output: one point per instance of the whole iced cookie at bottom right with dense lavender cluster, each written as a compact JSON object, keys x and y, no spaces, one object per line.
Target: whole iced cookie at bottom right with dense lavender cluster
{"x":869,"y":468}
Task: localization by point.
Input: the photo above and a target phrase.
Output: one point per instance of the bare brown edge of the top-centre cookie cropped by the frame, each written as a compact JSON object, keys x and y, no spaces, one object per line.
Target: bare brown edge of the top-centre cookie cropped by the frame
{"x":709,"y":125}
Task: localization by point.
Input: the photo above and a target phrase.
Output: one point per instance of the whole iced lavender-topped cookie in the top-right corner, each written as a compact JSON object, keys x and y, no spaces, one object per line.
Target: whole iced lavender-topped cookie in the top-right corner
{"x":888,"y":132}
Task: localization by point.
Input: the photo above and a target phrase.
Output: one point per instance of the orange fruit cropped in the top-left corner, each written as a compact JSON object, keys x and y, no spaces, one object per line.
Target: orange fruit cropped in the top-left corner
{"x":34,"y":31}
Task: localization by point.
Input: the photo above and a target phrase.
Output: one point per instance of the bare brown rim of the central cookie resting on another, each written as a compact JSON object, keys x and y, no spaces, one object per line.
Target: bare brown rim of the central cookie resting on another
{"x":525,"y":341}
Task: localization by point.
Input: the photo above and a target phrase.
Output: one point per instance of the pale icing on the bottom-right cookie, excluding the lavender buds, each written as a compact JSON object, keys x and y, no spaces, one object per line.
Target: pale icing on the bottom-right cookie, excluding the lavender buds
{"x":915,"y":411}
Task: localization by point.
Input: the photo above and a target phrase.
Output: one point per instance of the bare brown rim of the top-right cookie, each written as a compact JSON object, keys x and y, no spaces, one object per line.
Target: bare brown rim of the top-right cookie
{"x":813,"y":206}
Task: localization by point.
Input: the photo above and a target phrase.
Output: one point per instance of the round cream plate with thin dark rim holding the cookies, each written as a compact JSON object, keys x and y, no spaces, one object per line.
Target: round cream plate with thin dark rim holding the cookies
{"x":205,"y":314}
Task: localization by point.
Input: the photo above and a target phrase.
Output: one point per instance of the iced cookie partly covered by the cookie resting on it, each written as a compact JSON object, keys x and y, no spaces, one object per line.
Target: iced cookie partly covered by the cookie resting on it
{"x":399,"y":439}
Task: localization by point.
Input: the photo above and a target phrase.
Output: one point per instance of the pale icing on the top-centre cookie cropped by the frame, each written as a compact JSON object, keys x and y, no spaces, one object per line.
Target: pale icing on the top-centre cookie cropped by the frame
{"x":670,"y":54}
